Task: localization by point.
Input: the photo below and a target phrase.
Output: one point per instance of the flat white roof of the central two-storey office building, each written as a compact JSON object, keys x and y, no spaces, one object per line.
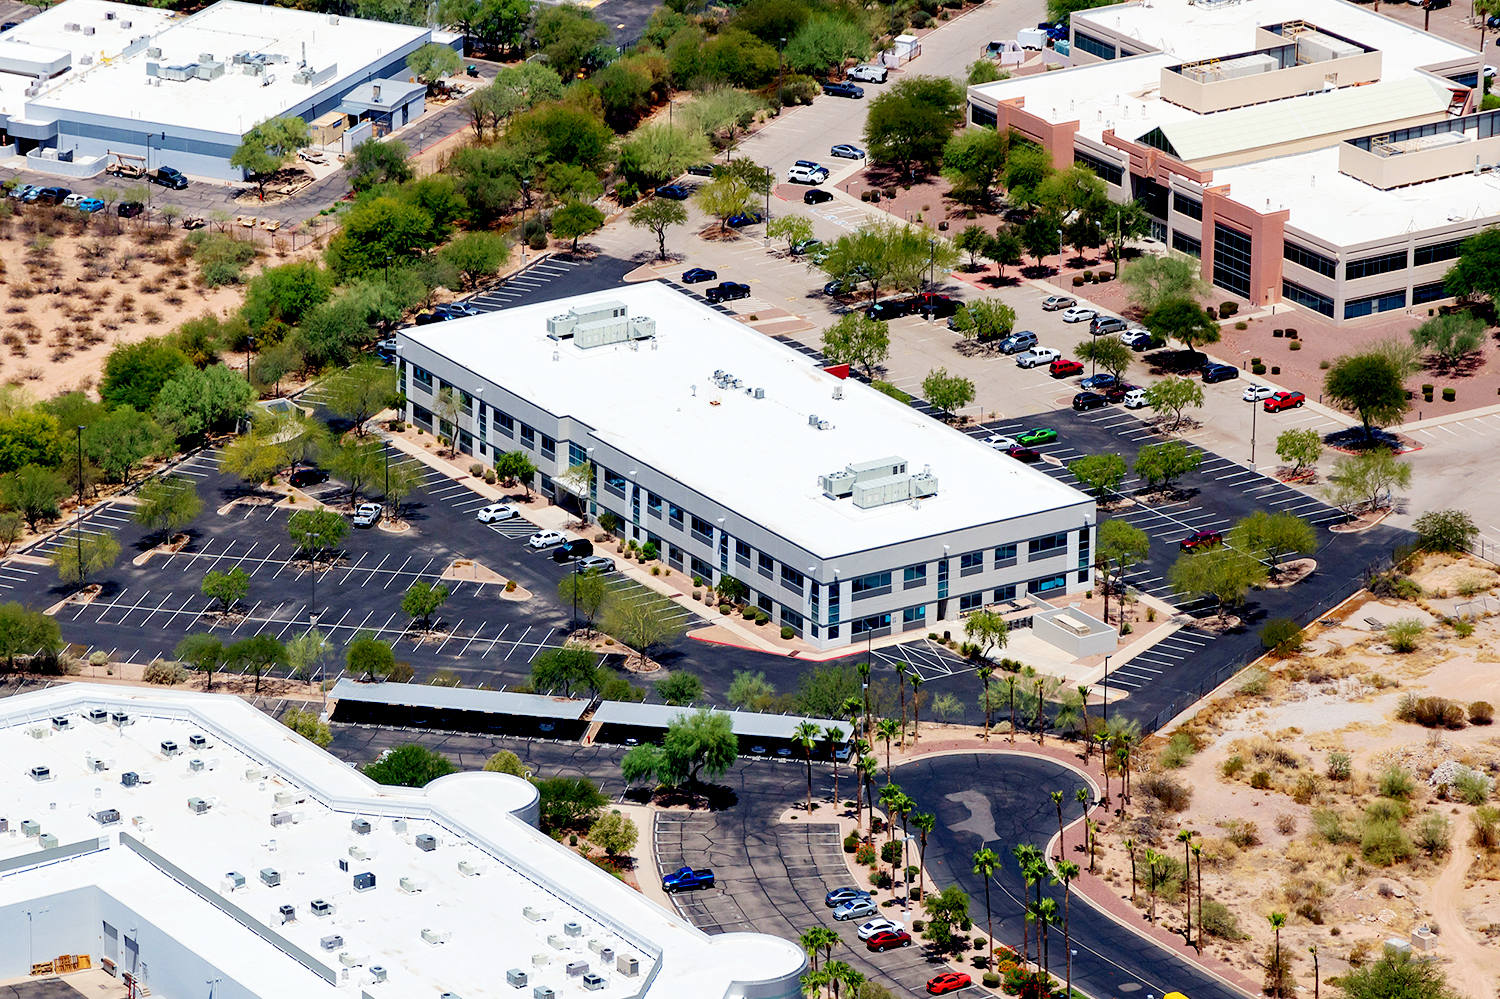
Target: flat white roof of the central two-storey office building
{"x":757,"y":457}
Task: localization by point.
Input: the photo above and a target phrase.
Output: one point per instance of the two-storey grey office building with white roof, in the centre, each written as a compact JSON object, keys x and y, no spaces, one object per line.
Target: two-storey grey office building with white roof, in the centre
{"x":847,"y":514}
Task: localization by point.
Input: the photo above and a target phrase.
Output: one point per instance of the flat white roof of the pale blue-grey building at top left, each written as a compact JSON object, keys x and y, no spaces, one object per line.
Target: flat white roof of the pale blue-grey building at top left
{"x":235,"y":101}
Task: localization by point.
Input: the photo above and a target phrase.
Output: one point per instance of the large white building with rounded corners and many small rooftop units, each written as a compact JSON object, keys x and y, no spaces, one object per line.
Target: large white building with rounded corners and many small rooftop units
{"x":223,"y":847}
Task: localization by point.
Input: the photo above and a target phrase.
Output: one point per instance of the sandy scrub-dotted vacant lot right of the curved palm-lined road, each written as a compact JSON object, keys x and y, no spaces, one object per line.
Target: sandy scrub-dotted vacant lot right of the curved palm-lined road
{"x":1337,"y":799}
